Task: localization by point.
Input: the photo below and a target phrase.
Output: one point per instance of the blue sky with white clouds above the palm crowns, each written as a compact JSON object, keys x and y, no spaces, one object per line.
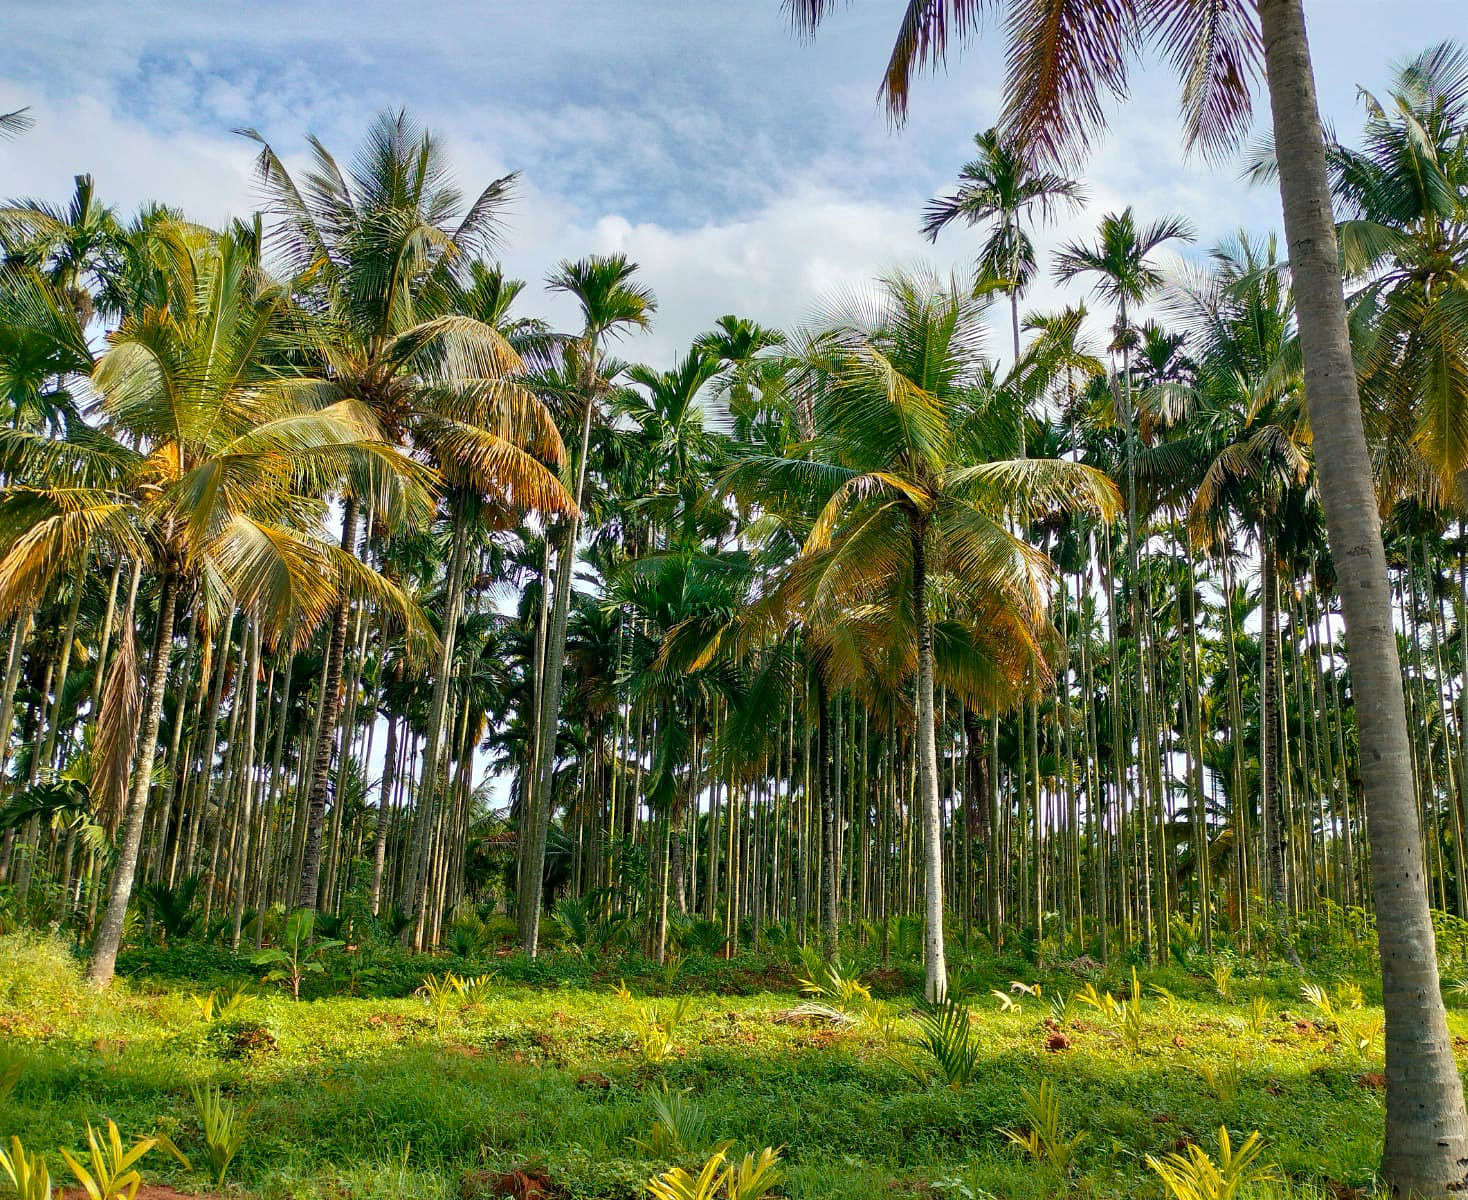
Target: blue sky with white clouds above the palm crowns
{"x":744,"y":170}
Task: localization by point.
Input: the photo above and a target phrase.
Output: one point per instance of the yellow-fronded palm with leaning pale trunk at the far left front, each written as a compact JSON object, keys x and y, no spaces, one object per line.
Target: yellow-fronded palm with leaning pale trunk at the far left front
{"x":205,"y":471}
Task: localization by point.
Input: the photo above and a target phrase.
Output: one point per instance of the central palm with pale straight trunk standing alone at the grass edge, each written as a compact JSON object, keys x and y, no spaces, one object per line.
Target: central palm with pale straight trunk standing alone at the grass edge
{"x":909,"y":529}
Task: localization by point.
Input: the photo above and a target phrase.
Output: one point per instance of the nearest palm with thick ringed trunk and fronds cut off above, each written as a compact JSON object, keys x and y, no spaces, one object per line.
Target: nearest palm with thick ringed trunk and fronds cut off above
{"x":1058,"y":76}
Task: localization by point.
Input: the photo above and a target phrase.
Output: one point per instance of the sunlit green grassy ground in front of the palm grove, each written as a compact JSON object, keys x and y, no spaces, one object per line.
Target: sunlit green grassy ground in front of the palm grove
{"x":356,"y":1098}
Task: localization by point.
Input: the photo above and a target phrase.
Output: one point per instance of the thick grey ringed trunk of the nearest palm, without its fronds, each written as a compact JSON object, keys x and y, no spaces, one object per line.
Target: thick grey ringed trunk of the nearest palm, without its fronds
{"x":1426,"y":1149}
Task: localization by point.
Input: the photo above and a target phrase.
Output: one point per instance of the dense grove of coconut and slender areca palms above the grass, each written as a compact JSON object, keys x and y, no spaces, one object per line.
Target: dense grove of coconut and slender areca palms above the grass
{"x":835,"y":625}
